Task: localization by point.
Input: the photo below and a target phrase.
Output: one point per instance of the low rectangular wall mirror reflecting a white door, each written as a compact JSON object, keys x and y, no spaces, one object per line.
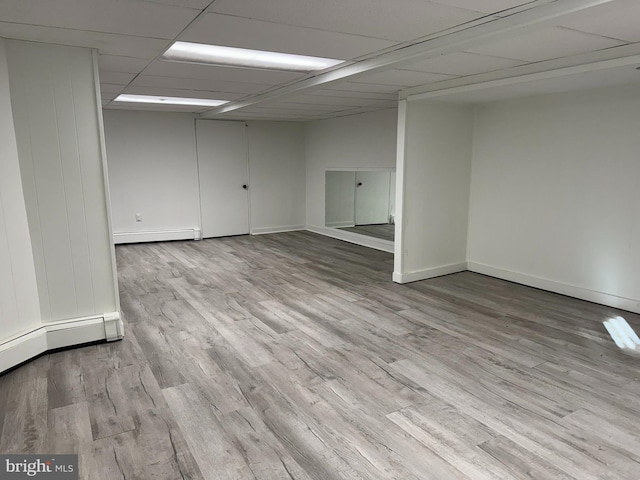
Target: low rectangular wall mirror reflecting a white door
{"x":361,"y":201}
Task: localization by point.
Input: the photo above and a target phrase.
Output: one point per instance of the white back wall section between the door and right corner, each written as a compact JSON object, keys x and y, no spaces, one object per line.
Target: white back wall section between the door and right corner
{"x":276,"y":176}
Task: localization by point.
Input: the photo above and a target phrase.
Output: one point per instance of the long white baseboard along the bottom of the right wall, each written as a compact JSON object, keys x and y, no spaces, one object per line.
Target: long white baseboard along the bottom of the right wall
{"x":582,"y":293}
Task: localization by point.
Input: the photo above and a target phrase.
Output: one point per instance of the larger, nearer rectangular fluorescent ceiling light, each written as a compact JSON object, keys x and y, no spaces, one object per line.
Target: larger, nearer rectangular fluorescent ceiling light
{"x":242,"y":57}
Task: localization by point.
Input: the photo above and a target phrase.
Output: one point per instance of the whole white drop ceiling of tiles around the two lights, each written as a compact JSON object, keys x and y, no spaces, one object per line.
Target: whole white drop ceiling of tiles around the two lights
{"x":450,"y":41}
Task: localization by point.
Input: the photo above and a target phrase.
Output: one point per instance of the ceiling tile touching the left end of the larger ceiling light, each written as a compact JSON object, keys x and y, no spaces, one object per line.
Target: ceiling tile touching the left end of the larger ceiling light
{"x":106,"y":43}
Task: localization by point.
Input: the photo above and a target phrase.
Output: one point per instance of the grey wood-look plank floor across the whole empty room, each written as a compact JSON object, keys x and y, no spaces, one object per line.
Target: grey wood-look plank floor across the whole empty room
{"x":293,"y":356}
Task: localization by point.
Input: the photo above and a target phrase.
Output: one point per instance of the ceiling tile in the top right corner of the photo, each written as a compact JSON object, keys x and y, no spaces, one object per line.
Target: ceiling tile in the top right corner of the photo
{"x":616,"y":20}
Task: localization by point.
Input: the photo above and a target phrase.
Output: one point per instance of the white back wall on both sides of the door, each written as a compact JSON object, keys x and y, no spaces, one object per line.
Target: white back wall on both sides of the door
{"x":153,"y":171}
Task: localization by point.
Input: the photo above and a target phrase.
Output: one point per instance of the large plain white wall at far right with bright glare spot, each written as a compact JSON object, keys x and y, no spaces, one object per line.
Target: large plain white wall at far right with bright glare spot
{"x":555,"y":194}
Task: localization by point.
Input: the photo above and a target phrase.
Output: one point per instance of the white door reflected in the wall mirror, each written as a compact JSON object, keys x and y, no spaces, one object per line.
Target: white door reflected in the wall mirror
{"x":372,"y":198}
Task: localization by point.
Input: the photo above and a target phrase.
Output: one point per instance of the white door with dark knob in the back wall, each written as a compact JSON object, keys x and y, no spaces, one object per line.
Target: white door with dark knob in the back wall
{"x":223,"y":170}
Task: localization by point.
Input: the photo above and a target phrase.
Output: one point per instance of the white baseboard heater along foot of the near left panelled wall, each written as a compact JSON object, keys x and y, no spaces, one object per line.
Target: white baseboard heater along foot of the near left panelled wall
{"x":66,"y":333}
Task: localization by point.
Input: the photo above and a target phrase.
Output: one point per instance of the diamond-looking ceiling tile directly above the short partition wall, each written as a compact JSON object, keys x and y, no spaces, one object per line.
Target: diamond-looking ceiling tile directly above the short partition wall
{"x":461,"y":63}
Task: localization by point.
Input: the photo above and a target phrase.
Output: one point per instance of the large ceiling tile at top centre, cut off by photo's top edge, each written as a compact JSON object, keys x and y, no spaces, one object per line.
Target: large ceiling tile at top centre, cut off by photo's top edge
{"x":397,"y":20}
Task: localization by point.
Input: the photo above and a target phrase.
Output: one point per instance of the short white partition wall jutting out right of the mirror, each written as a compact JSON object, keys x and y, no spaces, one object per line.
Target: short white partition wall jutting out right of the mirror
{"x":436,"y":169}
